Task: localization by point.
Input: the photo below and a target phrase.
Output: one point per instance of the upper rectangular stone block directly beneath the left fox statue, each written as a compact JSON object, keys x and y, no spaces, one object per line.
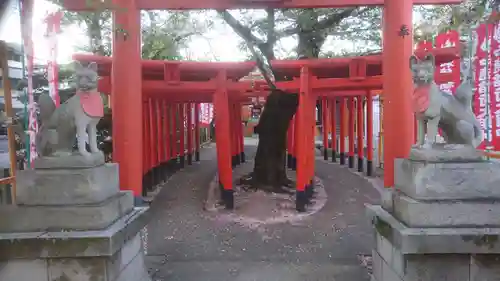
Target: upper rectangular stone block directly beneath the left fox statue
{"x":67,"y":186}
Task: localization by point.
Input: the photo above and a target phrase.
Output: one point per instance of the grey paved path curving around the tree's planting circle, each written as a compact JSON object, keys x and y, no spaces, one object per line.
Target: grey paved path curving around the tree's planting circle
{"x":185,"y":244}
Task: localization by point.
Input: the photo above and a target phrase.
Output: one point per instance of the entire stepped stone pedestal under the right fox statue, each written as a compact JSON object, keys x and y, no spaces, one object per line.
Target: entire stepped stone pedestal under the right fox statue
{"x":441,"y":221}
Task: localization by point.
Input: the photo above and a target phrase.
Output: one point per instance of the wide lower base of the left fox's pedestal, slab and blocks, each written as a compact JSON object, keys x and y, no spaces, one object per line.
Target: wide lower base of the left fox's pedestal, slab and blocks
{"x":114,"y":254}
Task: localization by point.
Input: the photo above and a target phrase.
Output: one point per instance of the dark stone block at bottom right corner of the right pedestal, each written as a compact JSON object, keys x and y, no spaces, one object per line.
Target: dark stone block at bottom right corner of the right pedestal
{"x":485,"y":268}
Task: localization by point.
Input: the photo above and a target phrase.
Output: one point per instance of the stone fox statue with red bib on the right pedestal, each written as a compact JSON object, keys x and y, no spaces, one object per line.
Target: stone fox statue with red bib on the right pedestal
{"x":436,"y":109}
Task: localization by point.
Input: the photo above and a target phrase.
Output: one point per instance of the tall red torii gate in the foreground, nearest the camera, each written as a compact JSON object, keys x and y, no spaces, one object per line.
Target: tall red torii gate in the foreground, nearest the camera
{"x":126,"y":74}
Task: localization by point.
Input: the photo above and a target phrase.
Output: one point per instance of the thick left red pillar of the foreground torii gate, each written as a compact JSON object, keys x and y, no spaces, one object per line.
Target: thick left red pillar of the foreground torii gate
{"x":126,"y":78}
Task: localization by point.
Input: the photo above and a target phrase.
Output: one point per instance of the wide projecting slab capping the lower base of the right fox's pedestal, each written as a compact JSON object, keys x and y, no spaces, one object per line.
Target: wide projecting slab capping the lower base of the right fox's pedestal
{"x":480,"y":240}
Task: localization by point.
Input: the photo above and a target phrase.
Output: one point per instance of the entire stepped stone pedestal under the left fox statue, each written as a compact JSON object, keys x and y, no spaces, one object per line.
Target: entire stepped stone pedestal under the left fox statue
{"x":72,"y":224}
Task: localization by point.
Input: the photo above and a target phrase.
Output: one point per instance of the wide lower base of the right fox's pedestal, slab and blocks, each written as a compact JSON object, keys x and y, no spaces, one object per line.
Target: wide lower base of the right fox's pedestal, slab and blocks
{"x":432,"y":254}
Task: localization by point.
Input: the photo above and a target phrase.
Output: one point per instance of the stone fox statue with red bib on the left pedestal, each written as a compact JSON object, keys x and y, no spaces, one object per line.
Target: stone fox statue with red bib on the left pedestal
{"x":76,"y":117}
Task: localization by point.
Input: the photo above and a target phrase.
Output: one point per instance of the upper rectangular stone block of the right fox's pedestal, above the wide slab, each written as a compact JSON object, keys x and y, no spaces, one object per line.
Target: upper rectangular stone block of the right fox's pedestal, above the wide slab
{"x":432,"y":181}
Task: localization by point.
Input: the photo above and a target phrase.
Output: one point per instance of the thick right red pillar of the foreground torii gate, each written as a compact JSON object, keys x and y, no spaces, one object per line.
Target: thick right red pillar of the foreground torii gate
{"x":397,"y":83}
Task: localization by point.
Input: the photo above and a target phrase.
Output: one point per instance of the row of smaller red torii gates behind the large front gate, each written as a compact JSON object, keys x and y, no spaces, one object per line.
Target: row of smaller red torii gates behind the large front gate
{"x":171,"y":88}
